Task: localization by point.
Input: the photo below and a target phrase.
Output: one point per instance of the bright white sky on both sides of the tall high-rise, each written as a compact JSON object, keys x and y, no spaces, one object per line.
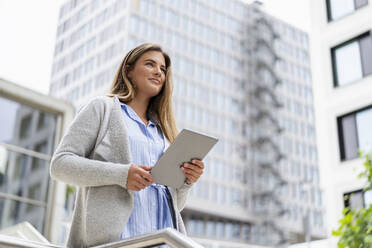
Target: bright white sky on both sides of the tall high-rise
{"x":28,"y":30}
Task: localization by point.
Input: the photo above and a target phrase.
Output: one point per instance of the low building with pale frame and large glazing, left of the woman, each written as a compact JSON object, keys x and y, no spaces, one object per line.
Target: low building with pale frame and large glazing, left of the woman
{"x":31,"y":125}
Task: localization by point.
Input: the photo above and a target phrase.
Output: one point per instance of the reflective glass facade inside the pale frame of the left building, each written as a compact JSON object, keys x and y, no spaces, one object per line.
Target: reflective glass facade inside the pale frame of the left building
{"x":26,"y":145}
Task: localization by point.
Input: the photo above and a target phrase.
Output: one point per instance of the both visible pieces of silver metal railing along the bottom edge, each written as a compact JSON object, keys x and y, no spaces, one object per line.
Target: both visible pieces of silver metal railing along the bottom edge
{"x":166,"y":236}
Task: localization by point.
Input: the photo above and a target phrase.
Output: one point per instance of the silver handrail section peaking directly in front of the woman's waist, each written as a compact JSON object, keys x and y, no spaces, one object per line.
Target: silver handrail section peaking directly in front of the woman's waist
{"x":167,"y":236}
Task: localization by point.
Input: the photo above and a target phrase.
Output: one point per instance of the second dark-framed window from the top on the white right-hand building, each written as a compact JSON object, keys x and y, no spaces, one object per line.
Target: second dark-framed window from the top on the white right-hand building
{"x":352,"y":60}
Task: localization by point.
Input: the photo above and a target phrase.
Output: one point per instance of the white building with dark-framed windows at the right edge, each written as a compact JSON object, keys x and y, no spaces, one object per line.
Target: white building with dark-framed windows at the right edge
{"x":342,"y":68}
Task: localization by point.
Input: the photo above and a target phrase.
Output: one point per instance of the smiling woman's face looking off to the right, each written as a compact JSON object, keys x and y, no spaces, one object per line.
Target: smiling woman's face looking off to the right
{"x":148,"y":74}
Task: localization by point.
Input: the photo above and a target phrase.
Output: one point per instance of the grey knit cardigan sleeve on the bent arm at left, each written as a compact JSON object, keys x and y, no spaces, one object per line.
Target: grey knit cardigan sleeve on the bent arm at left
{"x":70,"y":163}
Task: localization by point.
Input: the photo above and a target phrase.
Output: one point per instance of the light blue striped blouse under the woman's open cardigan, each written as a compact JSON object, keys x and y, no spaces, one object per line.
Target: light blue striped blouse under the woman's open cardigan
{"x":151,"y":210}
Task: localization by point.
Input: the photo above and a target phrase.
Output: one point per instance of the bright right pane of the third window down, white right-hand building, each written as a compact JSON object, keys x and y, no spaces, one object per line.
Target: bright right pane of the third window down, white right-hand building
{"x":364,"y":123}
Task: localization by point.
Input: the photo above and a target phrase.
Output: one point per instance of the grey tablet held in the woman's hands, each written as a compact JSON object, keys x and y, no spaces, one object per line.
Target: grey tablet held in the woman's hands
{"x":188,"y":145}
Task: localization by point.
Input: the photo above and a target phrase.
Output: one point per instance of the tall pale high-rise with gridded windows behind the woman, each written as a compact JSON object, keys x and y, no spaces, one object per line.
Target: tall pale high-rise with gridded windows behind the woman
{"x":240,"y":75}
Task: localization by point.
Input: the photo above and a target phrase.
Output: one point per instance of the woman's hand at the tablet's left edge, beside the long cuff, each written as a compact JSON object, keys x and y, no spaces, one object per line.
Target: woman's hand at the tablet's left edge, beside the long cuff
{"x":139,"y":177}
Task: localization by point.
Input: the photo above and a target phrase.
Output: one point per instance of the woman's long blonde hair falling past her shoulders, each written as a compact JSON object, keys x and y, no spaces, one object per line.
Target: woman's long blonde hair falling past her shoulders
{"x":161,"y":104}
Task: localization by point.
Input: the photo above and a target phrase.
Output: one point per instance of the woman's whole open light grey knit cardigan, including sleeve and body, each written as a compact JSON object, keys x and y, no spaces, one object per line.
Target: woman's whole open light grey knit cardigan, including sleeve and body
{"x":94,"y":155}
